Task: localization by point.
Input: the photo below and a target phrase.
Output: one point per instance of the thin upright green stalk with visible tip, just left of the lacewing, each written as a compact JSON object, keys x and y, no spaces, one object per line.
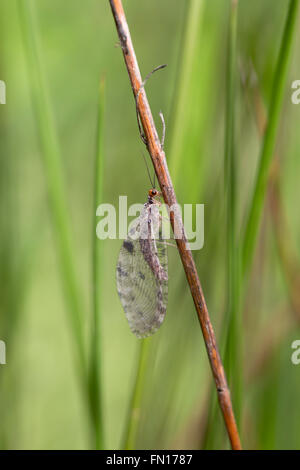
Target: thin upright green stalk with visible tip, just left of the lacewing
{"x":97,"y":278}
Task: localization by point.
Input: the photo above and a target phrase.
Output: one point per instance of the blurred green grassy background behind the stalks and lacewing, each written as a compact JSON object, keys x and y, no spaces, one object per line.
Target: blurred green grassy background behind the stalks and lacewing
{"x":42,"y":405}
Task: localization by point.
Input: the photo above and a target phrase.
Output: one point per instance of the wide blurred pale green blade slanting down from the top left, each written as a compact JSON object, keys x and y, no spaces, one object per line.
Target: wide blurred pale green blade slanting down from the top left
{"x":55,"y":182}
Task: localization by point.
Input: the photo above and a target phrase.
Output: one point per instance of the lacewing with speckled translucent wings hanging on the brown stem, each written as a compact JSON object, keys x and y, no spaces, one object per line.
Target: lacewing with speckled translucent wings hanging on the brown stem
{"x":142,"y":271}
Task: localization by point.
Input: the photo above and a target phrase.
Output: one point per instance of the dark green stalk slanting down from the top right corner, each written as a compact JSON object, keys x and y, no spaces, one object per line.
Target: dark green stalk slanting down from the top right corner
{"x":278,"y":89}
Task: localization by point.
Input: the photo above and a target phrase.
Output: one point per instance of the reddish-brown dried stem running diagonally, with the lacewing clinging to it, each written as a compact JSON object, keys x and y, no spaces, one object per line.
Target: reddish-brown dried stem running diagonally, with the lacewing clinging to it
{"x":160,"y":165}
